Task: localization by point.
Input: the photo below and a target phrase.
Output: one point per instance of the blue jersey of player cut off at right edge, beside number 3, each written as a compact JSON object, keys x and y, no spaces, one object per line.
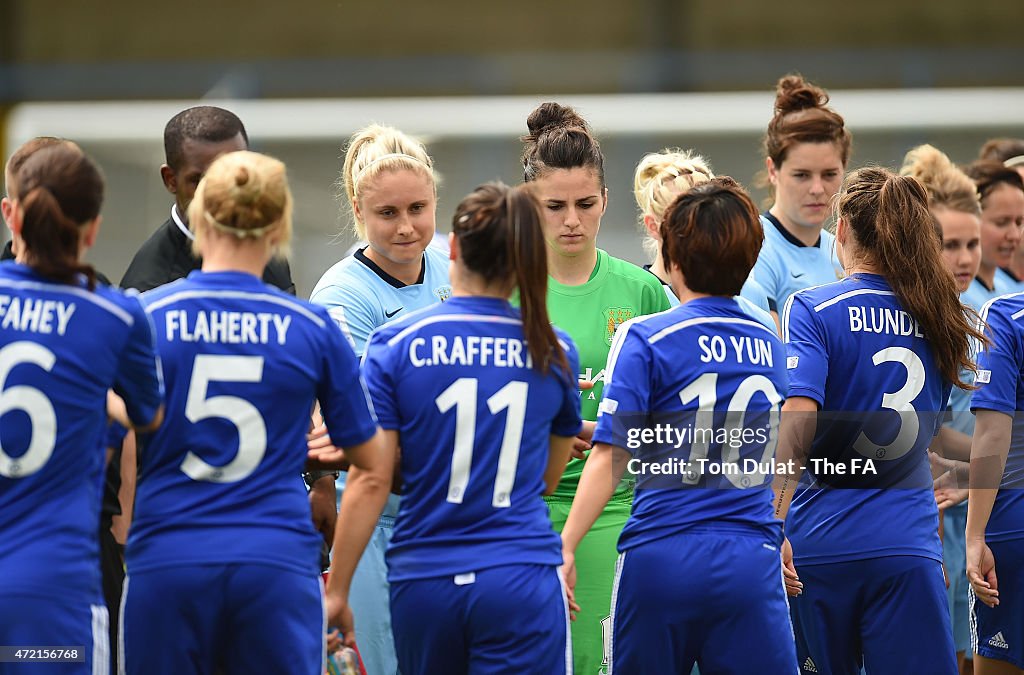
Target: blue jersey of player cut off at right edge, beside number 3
{"x":1001,"y":383}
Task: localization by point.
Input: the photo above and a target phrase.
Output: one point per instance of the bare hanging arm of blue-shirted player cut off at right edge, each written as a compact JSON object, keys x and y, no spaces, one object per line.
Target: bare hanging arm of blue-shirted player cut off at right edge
{"x":989,"y":459}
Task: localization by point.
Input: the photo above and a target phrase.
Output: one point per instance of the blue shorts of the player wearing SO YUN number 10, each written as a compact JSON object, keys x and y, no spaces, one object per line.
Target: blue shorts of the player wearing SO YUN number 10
{"x":711,"y":597}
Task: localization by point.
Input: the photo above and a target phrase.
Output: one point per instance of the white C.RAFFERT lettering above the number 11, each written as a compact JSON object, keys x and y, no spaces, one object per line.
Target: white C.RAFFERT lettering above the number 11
{"x":470,"y":351}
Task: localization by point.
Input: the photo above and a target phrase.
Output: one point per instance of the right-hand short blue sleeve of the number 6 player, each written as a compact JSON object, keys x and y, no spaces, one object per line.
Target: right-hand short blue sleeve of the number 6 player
{"x":140,"y":381}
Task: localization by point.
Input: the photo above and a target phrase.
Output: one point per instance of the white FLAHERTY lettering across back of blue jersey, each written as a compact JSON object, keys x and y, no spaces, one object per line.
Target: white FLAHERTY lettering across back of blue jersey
{"x":227,"y":327}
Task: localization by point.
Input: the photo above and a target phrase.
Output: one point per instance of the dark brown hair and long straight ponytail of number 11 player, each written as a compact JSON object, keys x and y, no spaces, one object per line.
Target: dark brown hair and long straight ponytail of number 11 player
{"x":500,"y":239}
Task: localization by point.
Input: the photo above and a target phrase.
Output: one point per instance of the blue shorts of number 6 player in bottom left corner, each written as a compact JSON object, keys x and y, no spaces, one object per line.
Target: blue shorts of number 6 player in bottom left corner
{"x":34,"y":621}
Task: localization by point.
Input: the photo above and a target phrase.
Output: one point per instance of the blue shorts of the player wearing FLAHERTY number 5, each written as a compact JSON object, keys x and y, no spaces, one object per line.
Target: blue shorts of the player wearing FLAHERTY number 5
{"x":230,"y":618}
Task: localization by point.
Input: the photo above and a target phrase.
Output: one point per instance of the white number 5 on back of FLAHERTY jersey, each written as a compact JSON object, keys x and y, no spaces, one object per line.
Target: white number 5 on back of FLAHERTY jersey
{"x":241,"y":413}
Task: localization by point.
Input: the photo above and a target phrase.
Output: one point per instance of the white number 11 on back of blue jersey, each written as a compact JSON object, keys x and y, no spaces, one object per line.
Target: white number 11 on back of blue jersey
{"x":462,"y":396}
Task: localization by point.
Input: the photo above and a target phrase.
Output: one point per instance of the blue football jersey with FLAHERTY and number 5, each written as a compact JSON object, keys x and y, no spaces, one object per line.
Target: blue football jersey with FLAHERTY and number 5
{"x":221,"y":481}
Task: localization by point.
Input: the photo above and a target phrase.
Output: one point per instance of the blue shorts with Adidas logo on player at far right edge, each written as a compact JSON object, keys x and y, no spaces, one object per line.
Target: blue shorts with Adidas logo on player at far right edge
{"x":999,"y":632}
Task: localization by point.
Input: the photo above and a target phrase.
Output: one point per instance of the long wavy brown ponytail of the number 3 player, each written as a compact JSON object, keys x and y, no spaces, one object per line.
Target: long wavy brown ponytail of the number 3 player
{"x":891,"y":222}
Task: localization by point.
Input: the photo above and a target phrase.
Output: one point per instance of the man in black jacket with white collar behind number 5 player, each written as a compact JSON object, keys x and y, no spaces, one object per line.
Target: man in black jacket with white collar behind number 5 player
{"x":193,"y":140}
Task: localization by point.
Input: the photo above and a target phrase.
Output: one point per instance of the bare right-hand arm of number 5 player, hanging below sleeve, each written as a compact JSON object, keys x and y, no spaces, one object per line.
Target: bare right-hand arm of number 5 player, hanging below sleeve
{"x":372,"y":465}
